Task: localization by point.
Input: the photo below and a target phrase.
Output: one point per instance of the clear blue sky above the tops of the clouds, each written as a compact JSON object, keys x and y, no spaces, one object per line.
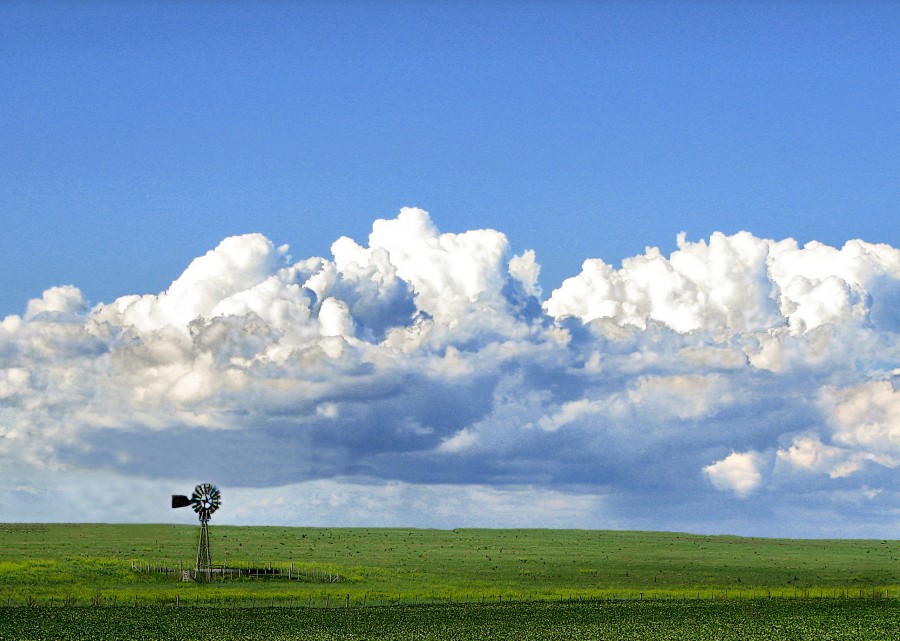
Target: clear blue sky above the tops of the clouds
{"x":136,"y":136}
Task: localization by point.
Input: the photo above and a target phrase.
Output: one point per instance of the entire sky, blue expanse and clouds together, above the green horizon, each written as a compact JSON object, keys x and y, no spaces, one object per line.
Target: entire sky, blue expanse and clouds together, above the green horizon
{"x":432,"y":264}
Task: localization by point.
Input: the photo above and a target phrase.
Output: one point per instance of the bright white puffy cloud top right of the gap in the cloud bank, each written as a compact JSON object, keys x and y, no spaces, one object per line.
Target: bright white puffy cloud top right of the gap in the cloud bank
{"x":731,"y":284}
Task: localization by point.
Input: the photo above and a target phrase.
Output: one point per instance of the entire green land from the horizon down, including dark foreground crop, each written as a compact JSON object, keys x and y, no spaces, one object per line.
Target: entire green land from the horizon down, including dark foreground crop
{"x":92,"y":582}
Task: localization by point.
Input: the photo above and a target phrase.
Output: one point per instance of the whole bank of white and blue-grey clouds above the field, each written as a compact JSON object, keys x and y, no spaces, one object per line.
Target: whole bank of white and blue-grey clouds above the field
{"x":740,"y":384}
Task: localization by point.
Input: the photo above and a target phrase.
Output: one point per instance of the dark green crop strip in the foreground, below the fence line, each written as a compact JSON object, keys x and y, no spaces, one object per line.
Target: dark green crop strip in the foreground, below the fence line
{"x":749,"y":620}
